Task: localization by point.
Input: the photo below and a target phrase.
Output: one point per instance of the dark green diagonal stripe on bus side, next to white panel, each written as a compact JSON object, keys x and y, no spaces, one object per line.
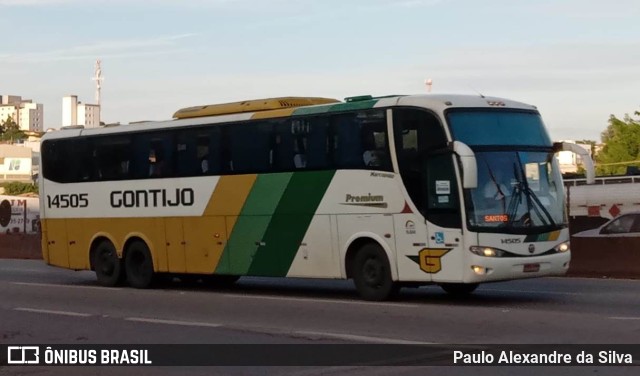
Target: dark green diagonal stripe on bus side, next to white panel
{"x":290,"y":223}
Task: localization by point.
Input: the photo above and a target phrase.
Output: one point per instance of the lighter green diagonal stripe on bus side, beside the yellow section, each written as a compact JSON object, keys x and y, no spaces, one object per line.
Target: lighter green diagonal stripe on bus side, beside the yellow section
{"x":252,"y":223}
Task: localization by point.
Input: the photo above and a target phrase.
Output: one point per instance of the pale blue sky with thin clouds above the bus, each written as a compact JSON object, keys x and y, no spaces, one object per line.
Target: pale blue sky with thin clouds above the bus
{"x":578,"y":61}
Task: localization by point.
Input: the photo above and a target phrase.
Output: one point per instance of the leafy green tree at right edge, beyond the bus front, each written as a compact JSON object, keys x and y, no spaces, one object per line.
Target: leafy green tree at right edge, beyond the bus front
{"x":622,"y":145}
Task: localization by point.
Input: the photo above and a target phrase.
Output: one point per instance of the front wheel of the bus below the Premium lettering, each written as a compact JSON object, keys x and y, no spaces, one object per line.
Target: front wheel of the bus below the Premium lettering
{"x":372,"y":273}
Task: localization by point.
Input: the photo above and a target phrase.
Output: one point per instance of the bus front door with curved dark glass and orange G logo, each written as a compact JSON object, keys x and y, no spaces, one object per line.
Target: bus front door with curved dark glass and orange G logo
{"x":428,"y":231}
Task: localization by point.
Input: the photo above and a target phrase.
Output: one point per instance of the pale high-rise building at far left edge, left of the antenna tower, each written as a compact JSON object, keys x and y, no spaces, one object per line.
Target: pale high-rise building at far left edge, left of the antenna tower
{"x":28,"y":115}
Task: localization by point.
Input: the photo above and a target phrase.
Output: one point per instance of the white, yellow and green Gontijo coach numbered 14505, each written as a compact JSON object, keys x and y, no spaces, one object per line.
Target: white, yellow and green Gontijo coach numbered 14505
{"x":453,"y":190}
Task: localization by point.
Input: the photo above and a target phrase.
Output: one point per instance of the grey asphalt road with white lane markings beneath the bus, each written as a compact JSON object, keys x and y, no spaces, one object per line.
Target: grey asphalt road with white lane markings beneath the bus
{"x":41,"y":304}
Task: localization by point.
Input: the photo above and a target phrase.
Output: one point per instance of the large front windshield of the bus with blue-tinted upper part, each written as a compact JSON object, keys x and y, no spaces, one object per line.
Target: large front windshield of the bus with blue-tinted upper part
{"x":519,"y":183}
